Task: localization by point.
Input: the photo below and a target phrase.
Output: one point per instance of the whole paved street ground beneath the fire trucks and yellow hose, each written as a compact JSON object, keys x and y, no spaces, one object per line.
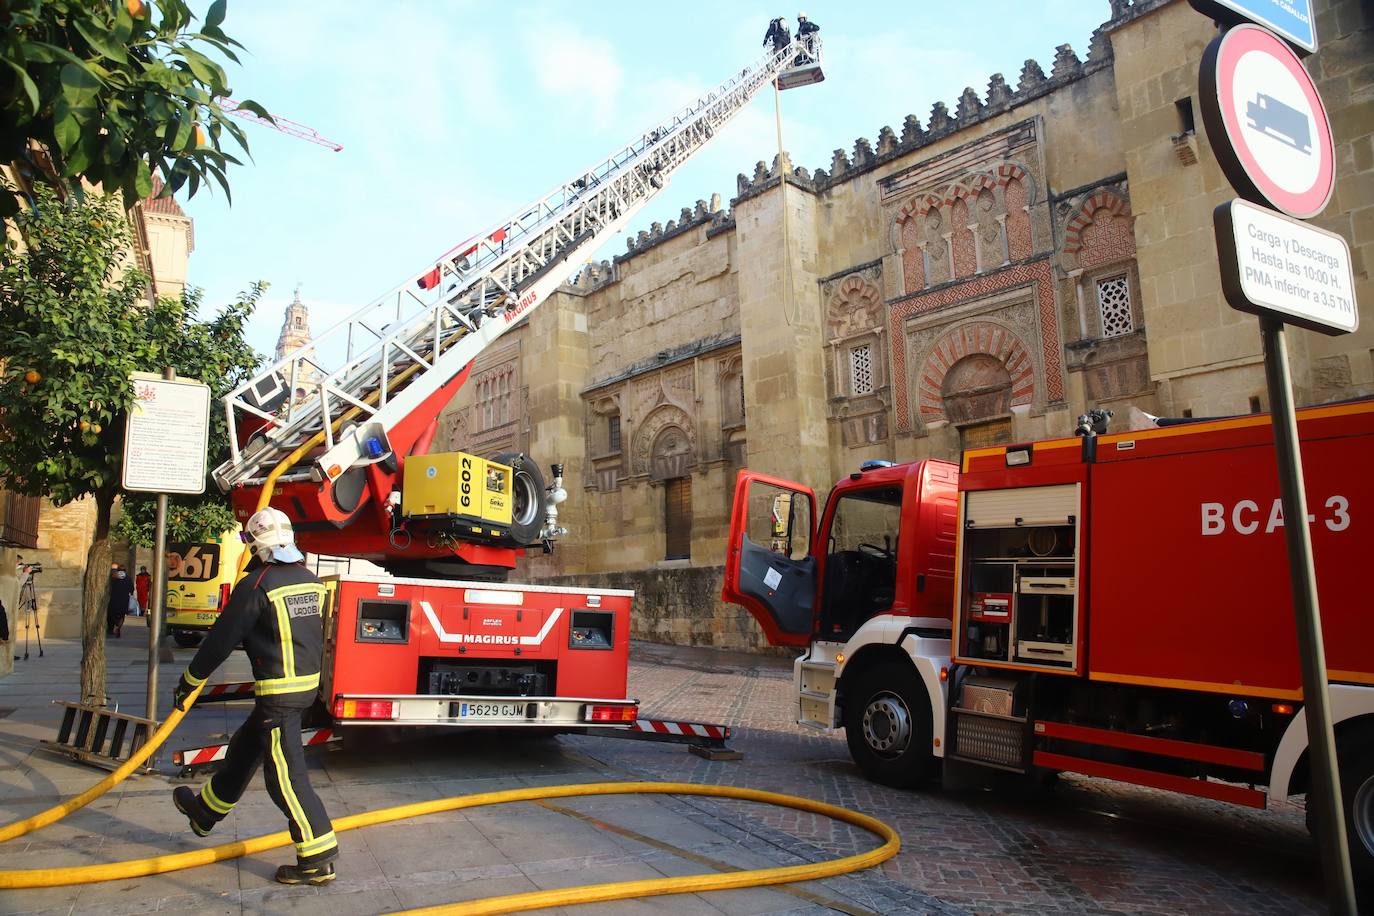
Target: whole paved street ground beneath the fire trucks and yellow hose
{"x":1083,"y":847}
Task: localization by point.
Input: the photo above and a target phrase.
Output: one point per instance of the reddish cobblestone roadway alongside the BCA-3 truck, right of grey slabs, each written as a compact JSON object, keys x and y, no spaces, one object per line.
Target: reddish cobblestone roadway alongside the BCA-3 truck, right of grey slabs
{"x":1082,"y":847}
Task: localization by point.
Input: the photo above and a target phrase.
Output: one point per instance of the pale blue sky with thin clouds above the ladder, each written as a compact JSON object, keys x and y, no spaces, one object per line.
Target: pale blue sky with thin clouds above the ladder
{"x":453,"y":115}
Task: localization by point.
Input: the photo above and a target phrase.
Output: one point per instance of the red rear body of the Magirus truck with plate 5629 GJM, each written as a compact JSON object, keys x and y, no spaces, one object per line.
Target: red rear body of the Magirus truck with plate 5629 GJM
{"x":432,"y":653}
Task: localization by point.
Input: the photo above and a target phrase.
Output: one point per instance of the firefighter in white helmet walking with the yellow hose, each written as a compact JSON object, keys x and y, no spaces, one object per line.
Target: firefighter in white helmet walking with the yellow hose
{"x":275,"y":612}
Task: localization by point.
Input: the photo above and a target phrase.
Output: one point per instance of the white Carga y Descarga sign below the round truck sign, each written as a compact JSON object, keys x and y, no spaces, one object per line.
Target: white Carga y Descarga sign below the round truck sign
{"x":1285,"y":270}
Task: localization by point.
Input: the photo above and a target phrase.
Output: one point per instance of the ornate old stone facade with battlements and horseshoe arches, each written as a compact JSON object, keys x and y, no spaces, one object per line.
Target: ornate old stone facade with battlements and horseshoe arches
{"x":982,"y":277}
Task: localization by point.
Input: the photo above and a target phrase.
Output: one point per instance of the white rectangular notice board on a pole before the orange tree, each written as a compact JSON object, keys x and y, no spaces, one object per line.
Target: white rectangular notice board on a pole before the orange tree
{"x":167,"y":436}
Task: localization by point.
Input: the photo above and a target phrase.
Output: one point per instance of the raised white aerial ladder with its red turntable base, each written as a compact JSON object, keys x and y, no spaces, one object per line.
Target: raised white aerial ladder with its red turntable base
{"x":329,"y":426}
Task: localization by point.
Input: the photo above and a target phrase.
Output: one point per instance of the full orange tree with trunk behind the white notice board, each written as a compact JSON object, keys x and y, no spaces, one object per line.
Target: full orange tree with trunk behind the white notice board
{"x":76,"y":325}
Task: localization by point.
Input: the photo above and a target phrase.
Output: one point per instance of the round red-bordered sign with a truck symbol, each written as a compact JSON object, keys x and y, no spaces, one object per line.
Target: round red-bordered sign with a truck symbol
{"x":1266,"y":122}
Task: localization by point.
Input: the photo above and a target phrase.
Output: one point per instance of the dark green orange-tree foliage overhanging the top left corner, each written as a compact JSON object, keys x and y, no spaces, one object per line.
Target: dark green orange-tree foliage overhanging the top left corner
{"x":111,"y":93}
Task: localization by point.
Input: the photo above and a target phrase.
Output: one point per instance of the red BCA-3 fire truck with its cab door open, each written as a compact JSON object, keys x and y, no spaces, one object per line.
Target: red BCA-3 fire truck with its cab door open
{"x":1116,"y":606}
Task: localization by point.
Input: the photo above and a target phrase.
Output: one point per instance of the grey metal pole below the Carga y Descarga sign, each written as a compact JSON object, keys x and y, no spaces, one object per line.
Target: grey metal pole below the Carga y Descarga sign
{"x":1325,"y":792}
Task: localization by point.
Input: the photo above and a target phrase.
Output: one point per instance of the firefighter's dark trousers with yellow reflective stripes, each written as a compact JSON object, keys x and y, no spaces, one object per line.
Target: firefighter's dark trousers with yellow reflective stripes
{"x":273,"y":734}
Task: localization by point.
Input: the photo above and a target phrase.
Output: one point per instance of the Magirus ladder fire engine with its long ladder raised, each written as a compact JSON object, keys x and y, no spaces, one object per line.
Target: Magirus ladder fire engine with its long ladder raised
{"x":337,"y":435}
